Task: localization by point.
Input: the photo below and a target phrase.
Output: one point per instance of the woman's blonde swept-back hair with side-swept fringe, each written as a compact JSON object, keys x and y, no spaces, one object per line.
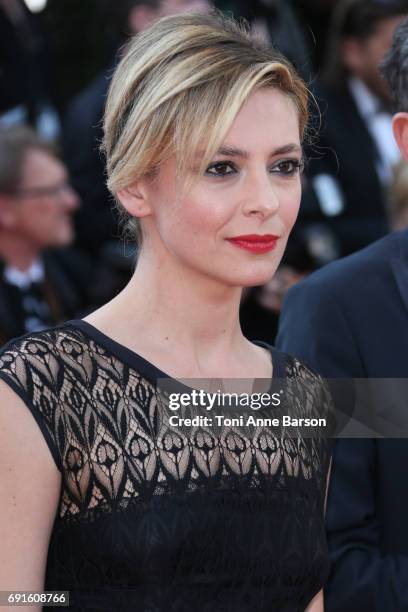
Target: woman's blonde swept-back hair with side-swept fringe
{"x":178,"y":89}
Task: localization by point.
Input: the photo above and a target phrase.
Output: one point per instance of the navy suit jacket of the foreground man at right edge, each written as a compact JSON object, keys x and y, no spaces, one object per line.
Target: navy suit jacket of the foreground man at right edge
{"x":350,"y":319}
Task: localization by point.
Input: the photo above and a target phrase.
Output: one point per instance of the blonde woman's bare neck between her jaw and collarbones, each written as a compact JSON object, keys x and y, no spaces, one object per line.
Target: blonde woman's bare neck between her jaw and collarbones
{"x":181,"y":304}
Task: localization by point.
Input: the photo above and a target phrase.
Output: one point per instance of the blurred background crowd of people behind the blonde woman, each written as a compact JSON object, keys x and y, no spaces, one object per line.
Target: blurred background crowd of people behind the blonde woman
{"x":62,"y":252}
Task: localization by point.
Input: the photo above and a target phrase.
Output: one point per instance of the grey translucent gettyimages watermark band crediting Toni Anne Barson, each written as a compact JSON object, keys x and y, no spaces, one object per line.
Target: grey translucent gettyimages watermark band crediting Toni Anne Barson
{"x":329,"y":408}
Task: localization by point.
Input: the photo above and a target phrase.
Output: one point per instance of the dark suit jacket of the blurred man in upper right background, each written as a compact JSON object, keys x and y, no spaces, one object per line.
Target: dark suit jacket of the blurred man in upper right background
{"x":346,"y":151}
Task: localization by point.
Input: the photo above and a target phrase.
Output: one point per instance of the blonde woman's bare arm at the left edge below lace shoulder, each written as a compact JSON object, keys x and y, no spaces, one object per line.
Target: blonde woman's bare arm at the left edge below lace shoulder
{"x":30,"y":486}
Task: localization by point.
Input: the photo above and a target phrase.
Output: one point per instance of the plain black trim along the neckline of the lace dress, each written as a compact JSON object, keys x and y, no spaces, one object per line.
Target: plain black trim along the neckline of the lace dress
{"x":151,"y":371}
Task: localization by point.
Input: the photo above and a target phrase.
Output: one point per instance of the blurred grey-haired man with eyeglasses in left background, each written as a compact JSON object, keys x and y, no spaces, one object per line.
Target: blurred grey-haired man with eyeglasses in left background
{"x":41,"y":283}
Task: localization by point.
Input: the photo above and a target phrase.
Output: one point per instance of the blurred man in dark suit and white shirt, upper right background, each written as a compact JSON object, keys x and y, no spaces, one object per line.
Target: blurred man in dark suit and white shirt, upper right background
{"x":351,"y":166}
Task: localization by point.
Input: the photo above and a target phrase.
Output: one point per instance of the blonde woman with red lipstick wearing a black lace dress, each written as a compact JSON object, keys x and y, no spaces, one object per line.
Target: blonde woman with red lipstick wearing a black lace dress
{"x":203,"y":133}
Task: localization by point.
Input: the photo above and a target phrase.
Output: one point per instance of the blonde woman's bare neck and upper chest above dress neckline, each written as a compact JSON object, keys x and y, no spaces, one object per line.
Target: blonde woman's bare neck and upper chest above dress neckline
{"x":172,"y":313}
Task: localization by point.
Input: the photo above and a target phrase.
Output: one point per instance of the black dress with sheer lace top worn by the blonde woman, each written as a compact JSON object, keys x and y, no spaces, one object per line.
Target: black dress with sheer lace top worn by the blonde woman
{"x":152,"y":519}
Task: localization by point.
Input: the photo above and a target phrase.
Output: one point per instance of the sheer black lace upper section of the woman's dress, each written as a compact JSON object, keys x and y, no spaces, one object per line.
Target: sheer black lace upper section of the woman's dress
{"x":105,"y":425}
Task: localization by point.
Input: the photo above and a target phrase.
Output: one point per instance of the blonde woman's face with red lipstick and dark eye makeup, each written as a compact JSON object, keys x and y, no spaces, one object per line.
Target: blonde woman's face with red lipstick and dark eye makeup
{"x":233,"y":225}
